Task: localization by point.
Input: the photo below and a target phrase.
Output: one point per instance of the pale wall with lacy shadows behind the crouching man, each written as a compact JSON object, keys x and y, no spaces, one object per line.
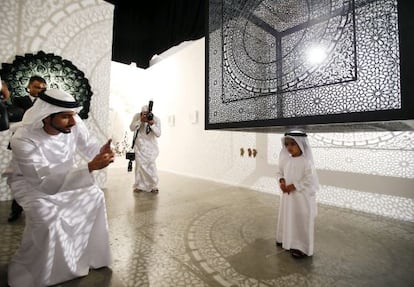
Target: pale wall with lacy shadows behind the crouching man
{"x":77,"y":30}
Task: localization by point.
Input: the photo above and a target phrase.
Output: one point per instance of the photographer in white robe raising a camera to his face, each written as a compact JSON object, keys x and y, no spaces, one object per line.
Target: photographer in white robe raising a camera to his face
{"x":146,"y":128}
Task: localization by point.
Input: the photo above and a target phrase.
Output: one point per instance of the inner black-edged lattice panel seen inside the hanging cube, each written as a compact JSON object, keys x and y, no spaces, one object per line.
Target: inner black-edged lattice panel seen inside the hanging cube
{"x":264,"y":47}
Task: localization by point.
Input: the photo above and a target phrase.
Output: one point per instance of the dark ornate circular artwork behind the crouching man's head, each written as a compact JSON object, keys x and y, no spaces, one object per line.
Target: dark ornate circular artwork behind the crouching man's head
{"x":58,"y":73}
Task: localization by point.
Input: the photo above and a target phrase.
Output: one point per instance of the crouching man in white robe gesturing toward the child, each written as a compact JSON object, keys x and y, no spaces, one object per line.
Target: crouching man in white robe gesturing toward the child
{"x":66,"y":230}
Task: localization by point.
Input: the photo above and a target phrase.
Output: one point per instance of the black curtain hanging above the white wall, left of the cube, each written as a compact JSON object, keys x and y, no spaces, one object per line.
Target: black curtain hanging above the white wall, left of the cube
{"x":143,"y":29}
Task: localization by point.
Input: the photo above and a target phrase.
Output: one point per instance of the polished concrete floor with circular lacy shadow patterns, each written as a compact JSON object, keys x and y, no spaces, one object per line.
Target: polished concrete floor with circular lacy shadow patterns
{"x":201,"y":233}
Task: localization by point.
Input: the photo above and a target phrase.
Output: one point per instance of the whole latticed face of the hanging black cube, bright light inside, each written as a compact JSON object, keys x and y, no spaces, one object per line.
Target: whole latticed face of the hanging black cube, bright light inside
{"x":285,"y":59}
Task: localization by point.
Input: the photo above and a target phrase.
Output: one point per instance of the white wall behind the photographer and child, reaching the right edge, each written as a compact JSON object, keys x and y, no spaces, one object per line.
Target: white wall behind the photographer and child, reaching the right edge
{"x":371,"y":172}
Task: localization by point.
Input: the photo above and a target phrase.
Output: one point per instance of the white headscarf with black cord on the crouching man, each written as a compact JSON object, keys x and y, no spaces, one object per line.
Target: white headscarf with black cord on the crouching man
{"x":50,"y":102}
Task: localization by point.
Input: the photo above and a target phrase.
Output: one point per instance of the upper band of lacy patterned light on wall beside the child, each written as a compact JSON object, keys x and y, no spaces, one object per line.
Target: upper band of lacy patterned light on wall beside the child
{"x":382,"y":153}
